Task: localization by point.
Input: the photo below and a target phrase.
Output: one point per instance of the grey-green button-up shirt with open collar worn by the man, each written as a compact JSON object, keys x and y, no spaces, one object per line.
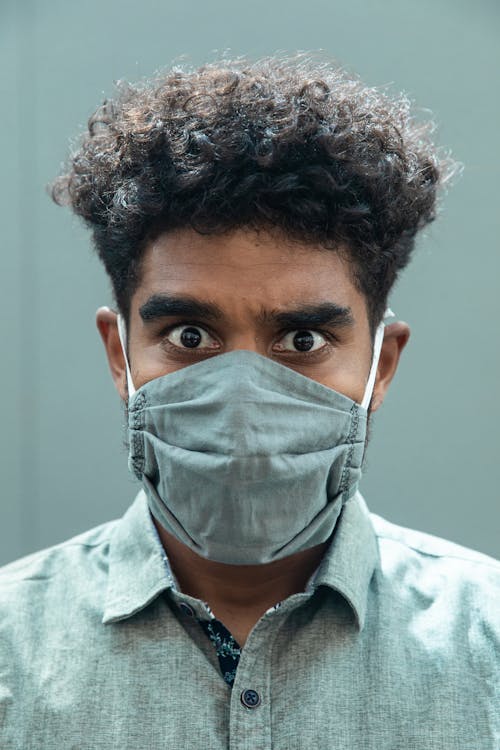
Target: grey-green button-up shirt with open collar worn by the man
{"x":393,"y":645}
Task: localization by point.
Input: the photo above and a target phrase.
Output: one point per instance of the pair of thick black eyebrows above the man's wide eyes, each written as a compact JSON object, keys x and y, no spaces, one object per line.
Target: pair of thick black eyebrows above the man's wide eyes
{"x":306,"y":316}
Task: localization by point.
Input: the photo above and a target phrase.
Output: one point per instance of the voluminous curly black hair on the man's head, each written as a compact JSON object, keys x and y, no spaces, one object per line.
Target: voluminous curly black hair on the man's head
{"x":285,"y":143}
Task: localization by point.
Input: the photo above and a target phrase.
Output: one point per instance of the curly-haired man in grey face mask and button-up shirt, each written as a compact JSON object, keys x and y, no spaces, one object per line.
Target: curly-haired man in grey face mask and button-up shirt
{"x":252,"y":218}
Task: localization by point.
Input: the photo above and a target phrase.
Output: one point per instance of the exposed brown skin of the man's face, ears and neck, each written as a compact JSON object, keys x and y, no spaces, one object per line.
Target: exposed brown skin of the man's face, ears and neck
{"x":249,"y":276}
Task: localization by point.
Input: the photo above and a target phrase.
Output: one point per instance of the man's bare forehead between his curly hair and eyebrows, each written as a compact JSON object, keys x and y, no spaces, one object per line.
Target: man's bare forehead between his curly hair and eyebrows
{"x":258,"y":267}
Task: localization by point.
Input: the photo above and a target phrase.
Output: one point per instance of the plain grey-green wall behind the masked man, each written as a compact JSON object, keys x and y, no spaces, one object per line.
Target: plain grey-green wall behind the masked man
{"x":434,"y":458}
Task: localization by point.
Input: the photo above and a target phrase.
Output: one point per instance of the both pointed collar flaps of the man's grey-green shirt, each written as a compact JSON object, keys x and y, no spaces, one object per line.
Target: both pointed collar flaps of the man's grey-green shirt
{"x":139,"y":569}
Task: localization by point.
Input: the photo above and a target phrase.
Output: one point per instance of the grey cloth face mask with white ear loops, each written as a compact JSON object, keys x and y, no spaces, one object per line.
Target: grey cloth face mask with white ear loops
{"x":244,"y":460}
